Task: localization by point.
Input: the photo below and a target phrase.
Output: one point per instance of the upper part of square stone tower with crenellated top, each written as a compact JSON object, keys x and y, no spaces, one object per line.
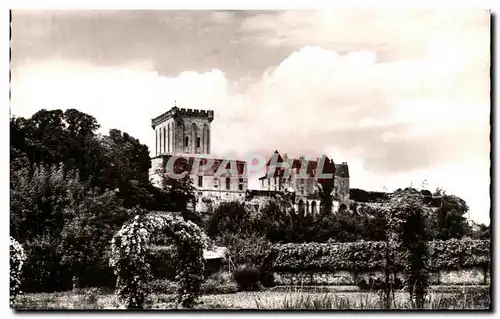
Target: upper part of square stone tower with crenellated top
{"x":183,"y":131}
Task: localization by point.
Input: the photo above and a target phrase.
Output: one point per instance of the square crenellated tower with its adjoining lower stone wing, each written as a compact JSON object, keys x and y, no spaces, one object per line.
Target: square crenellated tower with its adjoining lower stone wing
{"x":183,"y":135}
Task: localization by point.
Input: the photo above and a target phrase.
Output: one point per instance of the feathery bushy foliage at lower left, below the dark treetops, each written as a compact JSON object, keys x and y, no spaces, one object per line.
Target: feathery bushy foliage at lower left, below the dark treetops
{"x":64,"y":226}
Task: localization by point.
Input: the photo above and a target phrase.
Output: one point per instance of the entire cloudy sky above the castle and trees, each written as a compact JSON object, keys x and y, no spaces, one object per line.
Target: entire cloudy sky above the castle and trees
{"x":402,"y":95}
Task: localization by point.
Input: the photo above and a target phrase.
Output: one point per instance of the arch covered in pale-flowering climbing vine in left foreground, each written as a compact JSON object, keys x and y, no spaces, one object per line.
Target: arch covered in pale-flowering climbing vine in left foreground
{"x":132,"y":245}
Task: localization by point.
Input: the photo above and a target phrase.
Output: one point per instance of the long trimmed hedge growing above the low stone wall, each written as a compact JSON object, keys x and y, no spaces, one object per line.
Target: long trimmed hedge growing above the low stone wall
{"x":368,"y":255}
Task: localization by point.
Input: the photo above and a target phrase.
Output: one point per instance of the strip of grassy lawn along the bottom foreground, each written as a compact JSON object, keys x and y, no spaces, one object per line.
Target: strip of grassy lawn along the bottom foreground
{"x":94,"y":299}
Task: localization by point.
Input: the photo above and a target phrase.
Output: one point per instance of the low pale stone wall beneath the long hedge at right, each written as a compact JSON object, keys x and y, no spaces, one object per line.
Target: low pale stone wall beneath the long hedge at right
{"x":474,"y":276}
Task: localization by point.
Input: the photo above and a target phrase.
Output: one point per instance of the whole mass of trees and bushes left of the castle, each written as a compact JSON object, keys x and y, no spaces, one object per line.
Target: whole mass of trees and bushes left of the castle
{"x":69,"y":188}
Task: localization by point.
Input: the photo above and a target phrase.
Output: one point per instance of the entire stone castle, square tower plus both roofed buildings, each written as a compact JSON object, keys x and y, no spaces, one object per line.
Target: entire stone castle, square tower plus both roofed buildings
{"x":183,"y":136}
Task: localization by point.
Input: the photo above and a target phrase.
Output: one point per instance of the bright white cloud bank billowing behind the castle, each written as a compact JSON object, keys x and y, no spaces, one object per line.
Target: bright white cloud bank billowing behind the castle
{"x":396,"y":121}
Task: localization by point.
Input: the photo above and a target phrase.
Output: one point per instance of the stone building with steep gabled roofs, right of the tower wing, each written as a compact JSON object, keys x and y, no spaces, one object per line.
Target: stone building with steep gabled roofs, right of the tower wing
{"x":301,"y":177}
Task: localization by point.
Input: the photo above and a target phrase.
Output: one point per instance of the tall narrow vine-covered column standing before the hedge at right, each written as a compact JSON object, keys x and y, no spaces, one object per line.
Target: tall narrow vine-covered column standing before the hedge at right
{"x":407,"y":235}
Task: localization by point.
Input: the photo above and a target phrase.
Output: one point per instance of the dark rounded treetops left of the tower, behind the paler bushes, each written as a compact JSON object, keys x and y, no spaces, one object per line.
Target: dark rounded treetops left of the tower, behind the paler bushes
{"x":106,"y":162}
